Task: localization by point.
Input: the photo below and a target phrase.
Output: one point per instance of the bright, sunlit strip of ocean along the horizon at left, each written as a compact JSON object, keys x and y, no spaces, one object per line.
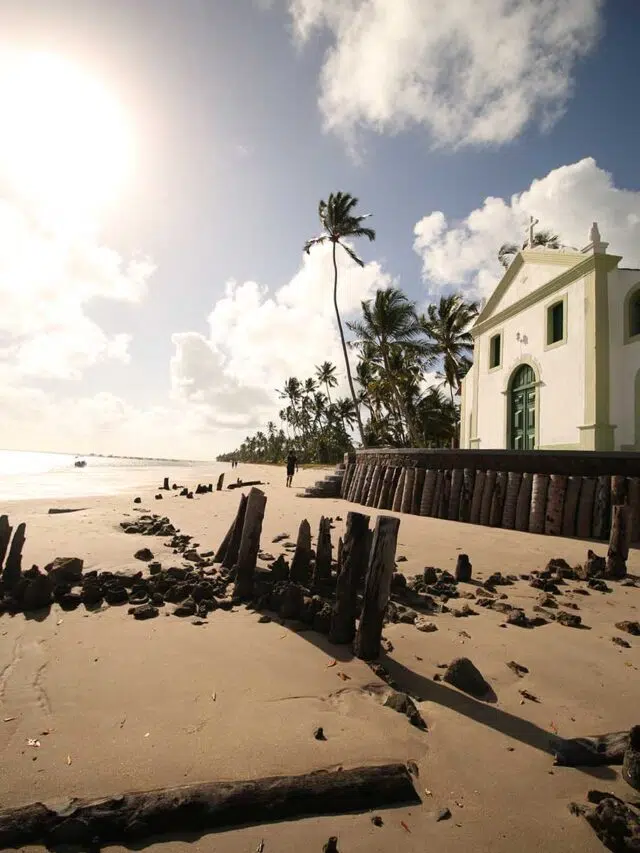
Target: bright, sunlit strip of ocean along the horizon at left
{"x":27,"y":475}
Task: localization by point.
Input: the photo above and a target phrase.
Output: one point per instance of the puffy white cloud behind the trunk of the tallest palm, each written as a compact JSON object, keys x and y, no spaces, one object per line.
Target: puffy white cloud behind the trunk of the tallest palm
{"x":257,"y":339}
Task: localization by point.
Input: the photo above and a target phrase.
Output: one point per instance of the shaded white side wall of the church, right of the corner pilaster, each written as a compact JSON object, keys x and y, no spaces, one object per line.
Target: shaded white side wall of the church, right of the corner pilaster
{"x":624,"y":361}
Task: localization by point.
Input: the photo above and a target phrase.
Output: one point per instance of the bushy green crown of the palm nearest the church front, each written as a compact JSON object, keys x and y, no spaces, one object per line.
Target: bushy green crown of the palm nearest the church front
{"x":447,"y":327}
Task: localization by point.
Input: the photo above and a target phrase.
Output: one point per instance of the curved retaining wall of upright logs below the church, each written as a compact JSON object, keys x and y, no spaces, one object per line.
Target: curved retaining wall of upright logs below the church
{"x":563,"y":493}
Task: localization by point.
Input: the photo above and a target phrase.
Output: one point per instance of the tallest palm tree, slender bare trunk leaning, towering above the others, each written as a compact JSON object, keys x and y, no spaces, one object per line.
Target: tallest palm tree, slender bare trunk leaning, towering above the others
{"x":339,"y":222}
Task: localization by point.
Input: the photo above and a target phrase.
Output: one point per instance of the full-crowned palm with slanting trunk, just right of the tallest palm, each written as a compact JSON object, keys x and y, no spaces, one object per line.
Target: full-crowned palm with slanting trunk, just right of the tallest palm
{"x":389,"y":321}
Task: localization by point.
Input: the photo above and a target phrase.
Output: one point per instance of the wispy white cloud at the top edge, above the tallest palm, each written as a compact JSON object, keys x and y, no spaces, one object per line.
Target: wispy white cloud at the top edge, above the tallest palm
{"x":469,"y":71}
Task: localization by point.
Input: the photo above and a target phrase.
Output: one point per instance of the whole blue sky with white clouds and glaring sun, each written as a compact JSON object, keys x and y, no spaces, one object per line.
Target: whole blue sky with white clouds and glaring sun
{"x":161,"y":163}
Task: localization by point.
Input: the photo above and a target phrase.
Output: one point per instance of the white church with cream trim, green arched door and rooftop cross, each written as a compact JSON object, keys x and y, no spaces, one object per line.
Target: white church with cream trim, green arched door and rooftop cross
{"x":556,"y":362}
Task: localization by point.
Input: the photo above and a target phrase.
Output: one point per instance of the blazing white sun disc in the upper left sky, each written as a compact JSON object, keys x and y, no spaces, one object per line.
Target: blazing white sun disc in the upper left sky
{"x":63,"y":140}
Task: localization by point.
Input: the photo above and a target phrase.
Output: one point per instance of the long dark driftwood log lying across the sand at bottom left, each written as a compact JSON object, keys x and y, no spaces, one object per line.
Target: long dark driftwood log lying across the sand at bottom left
{"x":206,"y":807}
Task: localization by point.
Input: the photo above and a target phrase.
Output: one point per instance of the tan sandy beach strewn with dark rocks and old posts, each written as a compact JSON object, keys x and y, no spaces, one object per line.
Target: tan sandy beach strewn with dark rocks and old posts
{"x":119,"y":705}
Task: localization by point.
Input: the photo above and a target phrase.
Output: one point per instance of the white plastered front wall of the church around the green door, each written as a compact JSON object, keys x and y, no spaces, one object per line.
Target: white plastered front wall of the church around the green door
{"x":560,"y":370}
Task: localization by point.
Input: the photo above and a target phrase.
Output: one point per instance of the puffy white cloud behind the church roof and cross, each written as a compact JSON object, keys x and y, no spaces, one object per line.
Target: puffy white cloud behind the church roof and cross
{"x":463,"y":255}
